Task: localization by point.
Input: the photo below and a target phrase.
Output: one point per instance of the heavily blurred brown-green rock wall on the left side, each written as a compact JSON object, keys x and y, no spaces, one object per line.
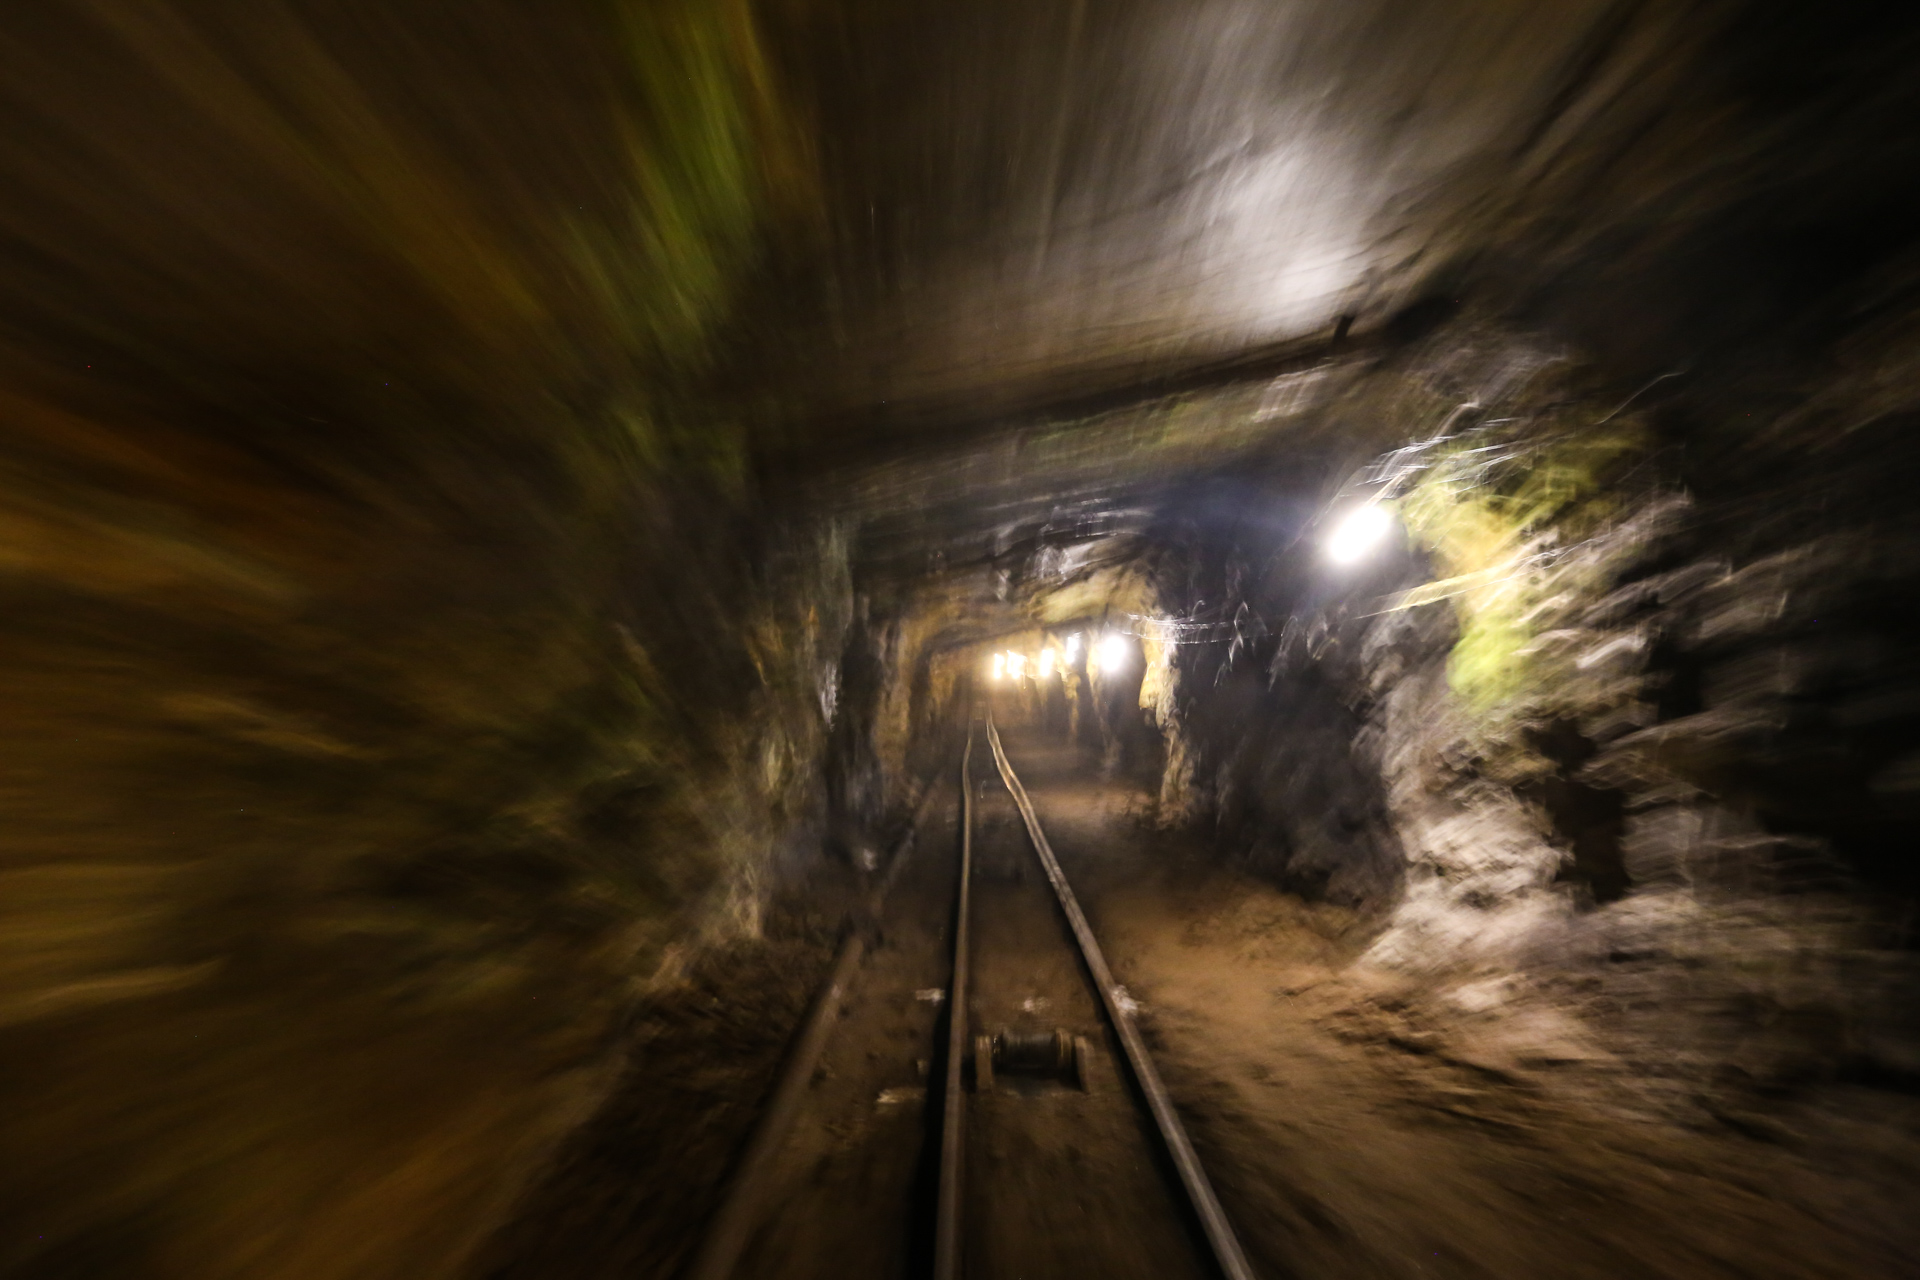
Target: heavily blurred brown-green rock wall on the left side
{"x":395,"y":690}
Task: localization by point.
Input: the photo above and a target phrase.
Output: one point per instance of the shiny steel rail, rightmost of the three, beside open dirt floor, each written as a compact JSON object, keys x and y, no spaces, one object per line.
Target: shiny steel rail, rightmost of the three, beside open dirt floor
{"x":1193,"y":1177}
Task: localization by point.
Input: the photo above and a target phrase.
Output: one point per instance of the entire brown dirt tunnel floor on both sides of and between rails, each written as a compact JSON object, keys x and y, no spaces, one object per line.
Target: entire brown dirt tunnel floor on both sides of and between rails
{"x":1351,"y":1124}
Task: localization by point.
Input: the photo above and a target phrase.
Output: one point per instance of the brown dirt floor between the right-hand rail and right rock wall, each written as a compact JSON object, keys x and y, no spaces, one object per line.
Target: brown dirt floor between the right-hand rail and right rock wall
{"x":1356,"y":1129}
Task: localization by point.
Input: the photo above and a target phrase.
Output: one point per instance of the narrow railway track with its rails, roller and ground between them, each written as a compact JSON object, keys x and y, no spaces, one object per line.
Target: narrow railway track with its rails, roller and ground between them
{"x":1053,"y":1147}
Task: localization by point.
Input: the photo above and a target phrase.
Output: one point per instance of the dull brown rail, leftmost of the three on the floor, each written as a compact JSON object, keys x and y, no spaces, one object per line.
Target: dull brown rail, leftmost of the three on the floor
{"x":754,"y":1177}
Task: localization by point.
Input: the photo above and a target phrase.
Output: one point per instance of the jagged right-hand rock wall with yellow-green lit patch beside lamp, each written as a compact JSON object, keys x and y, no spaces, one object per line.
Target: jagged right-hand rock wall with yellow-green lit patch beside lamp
{"x":1623,"y":736}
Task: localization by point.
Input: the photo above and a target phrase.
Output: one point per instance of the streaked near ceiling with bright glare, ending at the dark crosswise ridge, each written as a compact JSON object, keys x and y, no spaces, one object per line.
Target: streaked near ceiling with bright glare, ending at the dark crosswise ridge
{"x":1040,"y":202}
